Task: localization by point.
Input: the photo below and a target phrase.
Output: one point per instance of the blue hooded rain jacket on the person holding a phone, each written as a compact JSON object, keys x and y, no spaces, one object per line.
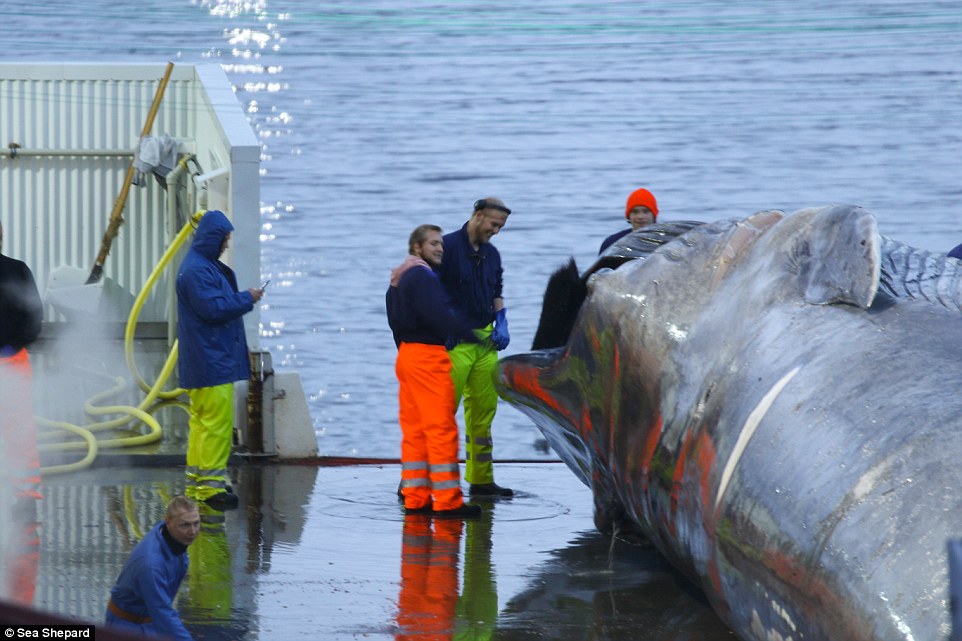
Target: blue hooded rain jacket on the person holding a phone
{"x":210,"y":329}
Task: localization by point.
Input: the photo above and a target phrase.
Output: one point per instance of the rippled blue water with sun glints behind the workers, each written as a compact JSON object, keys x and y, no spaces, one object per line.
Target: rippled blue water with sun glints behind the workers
{"x":376,"y":116}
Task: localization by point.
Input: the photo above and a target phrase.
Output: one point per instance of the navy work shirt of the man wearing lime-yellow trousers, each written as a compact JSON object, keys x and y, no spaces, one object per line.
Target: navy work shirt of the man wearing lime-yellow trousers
{"x":473,"y":278}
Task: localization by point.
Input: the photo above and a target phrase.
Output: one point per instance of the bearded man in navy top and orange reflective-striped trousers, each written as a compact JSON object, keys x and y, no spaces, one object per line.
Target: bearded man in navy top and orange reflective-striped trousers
{"x":422,"y":318}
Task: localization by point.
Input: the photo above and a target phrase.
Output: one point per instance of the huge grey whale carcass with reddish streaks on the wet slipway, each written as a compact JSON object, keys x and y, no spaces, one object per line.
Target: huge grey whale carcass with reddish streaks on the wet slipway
{"x":776,"y":403}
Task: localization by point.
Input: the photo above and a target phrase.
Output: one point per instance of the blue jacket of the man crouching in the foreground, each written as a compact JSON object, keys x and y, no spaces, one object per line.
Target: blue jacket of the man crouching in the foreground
{"x":147,"y":586}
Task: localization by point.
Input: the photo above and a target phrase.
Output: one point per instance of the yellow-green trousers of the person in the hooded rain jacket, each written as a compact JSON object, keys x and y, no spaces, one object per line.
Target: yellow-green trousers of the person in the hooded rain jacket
{"x":209,"y":443}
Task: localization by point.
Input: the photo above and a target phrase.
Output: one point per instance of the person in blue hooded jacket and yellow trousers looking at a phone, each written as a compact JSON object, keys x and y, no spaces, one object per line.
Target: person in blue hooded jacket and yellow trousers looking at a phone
{"x":212,"y":355}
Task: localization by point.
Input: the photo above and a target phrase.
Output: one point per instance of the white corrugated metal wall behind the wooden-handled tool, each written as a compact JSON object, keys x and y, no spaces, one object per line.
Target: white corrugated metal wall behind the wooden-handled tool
{"x":55,"y":209}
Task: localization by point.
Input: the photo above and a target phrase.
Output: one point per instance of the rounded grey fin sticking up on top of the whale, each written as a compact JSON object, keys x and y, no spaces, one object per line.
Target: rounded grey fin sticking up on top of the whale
{"x":838,"y":259}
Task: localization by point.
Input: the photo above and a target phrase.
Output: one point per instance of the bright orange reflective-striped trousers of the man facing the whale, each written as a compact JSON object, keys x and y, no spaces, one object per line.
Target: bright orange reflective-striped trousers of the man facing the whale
{"x":429,"y":433}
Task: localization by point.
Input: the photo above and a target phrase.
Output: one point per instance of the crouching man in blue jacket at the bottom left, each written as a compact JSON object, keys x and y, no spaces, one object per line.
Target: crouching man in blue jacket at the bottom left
{"x":143,"y":597}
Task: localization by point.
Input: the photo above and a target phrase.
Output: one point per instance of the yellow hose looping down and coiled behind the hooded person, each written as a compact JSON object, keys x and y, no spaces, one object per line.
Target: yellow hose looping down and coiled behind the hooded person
{"x":154,"y":392}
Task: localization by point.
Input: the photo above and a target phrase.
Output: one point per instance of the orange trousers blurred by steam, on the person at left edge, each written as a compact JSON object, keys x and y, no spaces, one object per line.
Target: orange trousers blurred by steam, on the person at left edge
{"x":18,"y":431}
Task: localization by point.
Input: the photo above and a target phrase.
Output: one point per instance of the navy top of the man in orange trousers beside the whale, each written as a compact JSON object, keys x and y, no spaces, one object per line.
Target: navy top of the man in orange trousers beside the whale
{"x":419,"y":310}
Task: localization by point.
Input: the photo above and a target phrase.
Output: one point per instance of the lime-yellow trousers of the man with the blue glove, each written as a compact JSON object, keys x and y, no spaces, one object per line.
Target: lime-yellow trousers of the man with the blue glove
{"x":473,"y":368}
